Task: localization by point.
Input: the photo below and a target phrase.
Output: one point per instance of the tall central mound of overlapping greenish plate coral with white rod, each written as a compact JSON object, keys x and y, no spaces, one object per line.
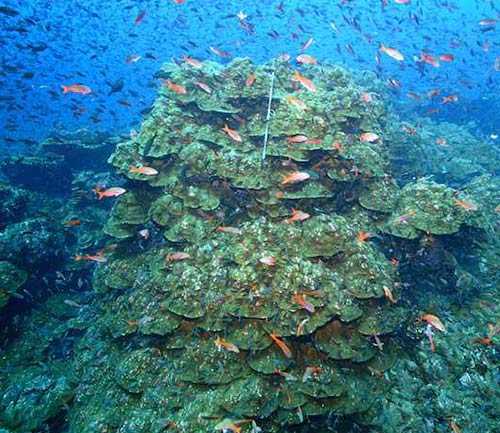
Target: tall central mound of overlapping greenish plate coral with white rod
{"x":259,"y":278}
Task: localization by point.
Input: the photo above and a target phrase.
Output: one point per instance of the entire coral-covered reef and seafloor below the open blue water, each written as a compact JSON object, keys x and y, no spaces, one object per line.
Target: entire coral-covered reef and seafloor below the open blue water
{"x":269,"y":264}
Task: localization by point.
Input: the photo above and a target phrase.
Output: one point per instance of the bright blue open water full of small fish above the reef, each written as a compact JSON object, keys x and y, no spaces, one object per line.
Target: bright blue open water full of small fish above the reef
{"x":53,"y":43}
